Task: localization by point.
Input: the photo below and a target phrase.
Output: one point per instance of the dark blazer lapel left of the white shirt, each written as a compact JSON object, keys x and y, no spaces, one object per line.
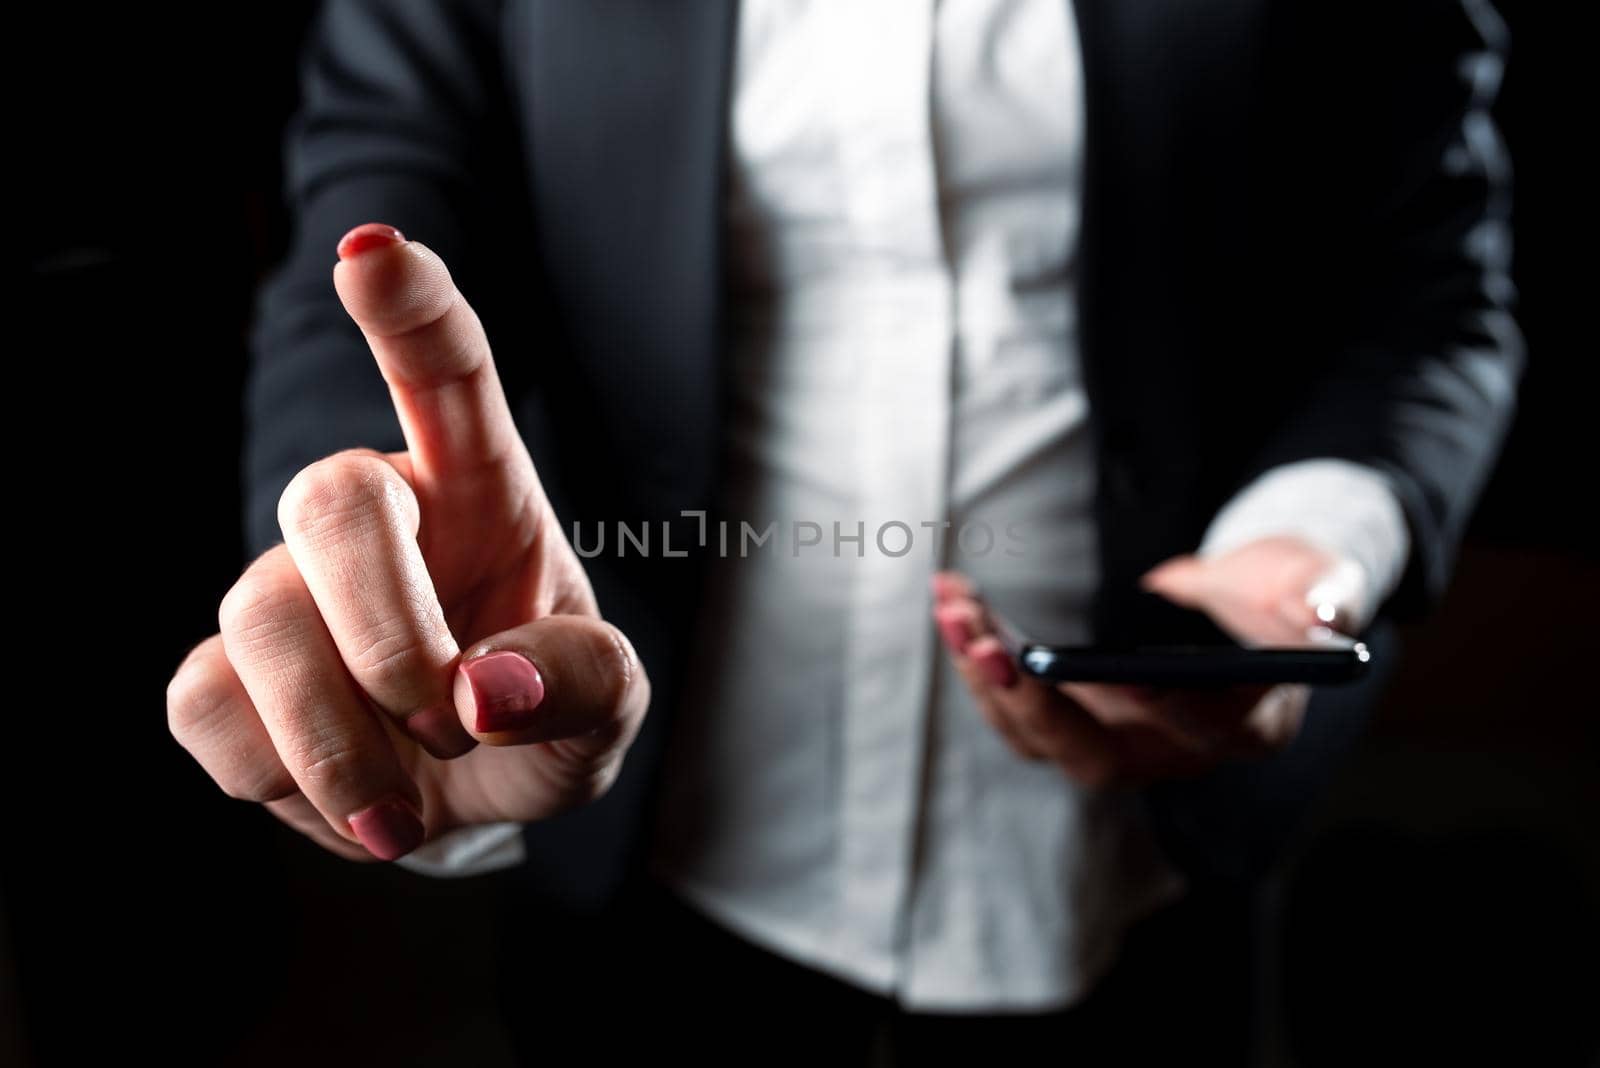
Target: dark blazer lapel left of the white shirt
{"x":626,"y":105}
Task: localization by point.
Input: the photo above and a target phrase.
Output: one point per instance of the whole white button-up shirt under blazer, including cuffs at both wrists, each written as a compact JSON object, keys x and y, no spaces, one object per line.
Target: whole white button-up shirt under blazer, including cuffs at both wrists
{"x":903,"y":221}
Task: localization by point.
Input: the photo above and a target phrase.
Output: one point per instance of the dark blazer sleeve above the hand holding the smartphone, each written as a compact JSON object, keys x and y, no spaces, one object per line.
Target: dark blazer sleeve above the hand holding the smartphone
{"x":1423,"y":380}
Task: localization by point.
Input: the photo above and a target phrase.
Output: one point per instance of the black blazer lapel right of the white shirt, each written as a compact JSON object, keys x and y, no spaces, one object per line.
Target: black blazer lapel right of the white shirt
{"x":1170,"y":127}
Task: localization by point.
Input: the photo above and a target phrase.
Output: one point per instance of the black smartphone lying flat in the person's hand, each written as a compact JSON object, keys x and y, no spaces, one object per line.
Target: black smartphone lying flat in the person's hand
{"x":1148,"y":640}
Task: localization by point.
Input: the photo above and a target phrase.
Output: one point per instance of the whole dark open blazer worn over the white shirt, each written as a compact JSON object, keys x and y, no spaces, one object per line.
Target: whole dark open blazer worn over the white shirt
{"x":1295,"y":247}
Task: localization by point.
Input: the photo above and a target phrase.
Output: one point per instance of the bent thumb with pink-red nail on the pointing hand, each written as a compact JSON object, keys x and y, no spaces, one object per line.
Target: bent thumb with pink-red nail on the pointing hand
{"x":572,"y":682}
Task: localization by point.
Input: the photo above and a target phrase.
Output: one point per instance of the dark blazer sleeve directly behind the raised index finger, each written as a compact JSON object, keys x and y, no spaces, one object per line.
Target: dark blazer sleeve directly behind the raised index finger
{"x":396,"y":118}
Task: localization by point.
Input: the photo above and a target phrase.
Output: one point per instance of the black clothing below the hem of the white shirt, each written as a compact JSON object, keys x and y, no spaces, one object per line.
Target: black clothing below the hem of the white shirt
{"x":662,"y":981}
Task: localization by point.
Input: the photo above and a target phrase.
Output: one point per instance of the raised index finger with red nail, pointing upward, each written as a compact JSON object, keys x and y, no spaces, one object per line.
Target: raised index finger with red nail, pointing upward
{"x":436,"y":359}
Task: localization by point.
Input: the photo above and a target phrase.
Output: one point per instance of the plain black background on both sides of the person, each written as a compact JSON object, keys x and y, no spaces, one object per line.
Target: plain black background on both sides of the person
{"x":1444,"y":899}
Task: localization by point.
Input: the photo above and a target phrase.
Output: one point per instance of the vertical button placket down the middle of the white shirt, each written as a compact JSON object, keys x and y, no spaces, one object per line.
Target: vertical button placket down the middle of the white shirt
{"x":903,"y":305}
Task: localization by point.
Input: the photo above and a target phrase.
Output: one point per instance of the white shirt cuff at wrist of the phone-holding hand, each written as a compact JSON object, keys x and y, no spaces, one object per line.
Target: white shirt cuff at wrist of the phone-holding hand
{"x":1342,"y":508}
